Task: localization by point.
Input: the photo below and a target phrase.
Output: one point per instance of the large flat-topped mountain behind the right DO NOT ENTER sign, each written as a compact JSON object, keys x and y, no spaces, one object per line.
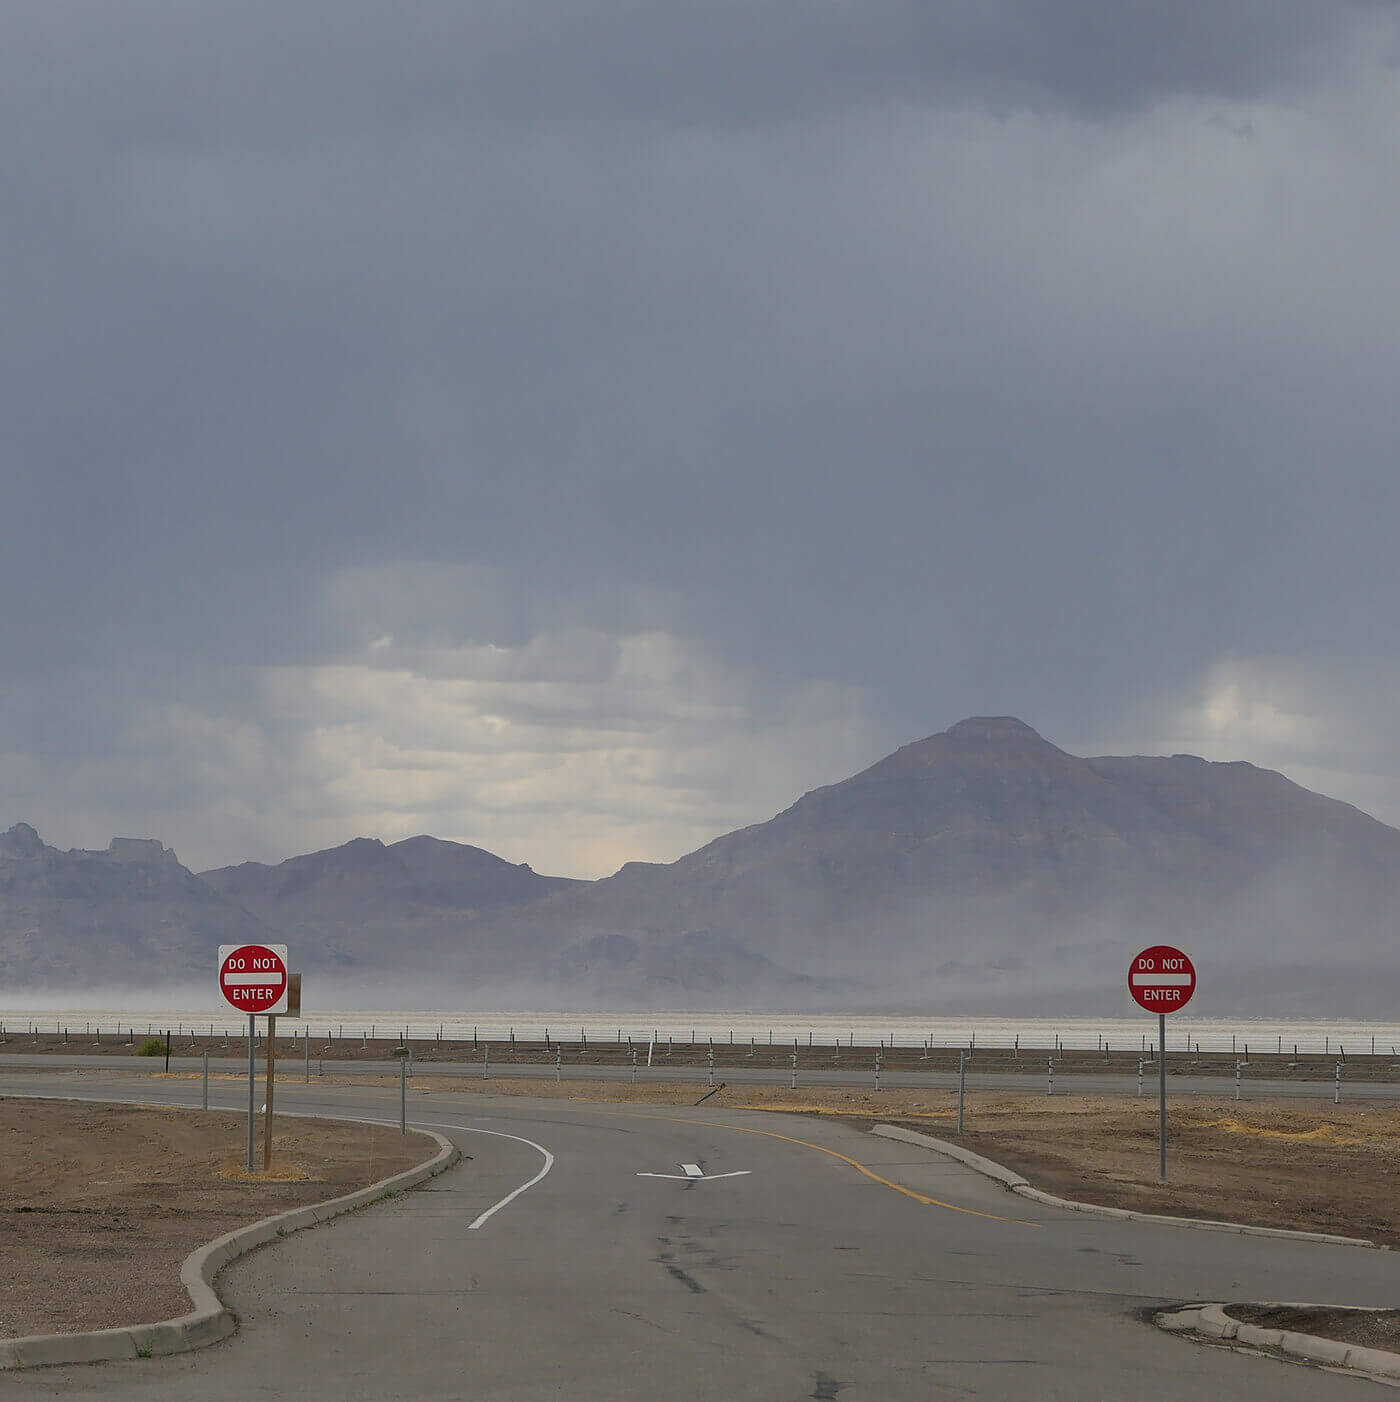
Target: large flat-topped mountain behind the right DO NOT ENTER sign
{"x":984,"y":870}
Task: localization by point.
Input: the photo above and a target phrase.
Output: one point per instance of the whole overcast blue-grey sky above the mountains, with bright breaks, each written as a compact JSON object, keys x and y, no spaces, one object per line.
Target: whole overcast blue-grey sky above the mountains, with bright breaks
{"x":581,"y":428}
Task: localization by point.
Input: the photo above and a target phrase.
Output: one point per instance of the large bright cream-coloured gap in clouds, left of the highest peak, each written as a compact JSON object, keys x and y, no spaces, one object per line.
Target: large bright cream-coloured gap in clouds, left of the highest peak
{"x":575,"y":752}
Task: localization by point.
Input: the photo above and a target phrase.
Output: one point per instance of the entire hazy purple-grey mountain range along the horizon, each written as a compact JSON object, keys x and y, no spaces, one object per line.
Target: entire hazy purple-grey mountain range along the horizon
{"x":980,"y":870}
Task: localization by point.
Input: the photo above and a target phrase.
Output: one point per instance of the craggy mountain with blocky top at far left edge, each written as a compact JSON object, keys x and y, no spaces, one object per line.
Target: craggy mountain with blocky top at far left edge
{"x":128,"y":916}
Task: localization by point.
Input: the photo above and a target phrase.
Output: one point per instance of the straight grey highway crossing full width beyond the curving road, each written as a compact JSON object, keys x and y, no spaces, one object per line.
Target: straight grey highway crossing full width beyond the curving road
{"x":291,"y":1069}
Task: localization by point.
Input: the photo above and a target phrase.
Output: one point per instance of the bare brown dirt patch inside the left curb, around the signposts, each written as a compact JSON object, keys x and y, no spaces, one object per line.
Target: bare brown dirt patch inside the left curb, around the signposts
{"x":102,"y":1204}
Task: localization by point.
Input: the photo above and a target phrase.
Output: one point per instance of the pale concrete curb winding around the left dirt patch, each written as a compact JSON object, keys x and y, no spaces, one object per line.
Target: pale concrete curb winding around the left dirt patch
{"x":210,"y":1320}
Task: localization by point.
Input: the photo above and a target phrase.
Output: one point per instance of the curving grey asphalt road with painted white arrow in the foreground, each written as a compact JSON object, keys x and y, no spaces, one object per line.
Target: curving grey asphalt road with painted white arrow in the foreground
{"x":807,"y":1277}
